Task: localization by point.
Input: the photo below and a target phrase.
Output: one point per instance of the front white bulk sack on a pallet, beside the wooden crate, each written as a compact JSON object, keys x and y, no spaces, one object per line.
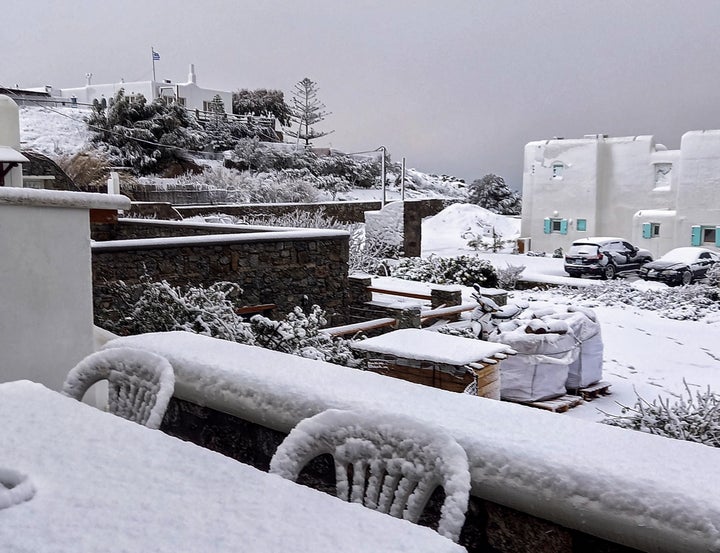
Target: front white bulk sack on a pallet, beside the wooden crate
{"x":539,"y":370}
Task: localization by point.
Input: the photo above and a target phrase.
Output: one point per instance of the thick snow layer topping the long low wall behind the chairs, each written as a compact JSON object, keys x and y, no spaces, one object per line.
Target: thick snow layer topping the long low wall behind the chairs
{"x":643,"y":491}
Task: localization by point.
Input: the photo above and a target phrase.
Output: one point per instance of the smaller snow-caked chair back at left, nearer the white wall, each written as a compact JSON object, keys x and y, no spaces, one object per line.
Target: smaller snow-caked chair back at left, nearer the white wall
{"x":140,"y":383}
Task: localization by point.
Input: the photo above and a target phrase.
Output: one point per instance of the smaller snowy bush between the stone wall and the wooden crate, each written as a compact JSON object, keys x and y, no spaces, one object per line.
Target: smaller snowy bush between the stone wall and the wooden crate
{"x":299,"y":334}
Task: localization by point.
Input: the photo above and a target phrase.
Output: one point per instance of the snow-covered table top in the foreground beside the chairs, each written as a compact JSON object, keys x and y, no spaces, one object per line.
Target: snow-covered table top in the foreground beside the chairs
{"x":106,"y":484}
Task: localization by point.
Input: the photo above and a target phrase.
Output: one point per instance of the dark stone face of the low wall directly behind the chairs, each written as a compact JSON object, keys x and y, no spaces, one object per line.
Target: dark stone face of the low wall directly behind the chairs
{"x":489,"y":527}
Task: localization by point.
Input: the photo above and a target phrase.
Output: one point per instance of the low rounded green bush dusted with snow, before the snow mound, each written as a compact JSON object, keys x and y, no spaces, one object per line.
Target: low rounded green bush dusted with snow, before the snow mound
{"x":464,"y":270}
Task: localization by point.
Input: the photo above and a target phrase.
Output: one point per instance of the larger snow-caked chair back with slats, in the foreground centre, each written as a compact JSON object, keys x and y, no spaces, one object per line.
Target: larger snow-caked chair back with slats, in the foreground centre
{"x":386,"y":462}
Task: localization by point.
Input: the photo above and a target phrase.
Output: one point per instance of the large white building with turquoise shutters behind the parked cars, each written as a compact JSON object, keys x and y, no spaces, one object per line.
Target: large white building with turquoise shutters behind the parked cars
{"x":631,"y":187}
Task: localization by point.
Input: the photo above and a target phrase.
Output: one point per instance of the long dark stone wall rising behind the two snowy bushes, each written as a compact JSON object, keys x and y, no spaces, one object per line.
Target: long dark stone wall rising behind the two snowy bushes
{"x":282,"y":268}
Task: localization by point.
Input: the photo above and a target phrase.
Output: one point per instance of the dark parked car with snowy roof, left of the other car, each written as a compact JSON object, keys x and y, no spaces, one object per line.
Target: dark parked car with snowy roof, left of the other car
{"x":604,"y":257}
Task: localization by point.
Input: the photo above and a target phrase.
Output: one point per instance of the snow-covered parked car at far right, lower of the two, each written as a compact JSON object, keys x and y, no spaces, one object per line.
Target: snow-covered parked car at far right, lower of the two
{"x":680,"y":266}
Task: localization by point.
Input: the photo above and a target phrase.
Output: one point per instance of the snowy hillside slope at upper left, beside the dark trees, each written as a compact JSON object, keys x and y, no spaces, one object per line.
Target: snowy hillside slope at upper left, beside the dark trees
{"x":53,"y":131}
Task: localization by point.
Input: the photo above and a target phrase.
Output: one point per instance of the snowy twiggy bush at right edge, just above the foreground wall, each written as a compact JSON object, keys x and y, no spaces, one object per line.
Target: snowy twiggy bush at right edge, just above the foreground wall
{"x":694,"y":419}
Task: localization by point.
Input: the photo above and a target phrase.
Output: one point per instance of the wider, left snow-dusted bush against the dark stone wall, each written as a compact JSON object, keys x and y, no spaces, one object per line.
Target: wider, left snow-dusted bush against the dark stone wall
{"x":160,"y":306}
